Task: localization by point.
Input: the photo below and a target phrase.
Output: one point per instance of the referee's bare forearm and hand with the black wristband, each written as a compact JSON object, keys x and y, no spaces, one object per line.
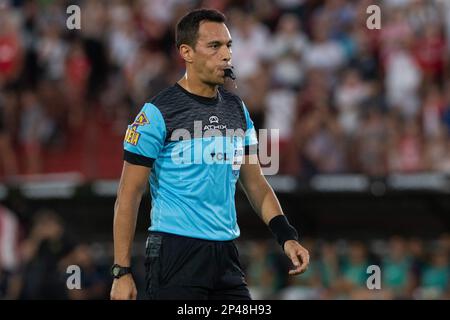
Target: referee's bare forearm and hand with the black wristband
{"x":265,"y":203}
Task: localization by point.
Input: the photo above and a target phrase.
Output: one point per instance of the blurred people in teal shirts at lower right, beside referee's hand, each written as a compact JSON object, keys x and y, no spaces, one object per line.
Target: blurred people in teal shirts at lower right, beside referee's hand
{"x":409,"y":268}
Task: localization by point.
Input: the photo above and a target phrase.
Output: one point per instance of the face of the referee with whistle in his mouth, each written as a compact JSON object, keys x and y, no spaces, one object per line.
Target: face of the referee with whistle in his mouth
{"x":212,"y":52}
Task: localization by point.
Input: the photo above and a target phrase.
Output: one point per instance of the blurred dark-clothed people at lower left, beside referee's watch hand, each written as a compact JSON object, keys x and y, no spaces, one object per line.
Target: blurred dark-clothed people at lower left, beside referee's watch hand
{"x":35,"y":255}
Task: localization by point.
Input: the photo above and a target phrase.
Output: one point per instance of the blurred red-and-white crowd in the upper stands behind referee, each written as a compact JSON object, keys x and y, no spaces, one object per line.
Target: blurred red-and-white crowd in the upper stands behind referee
{"x":344,"y":98}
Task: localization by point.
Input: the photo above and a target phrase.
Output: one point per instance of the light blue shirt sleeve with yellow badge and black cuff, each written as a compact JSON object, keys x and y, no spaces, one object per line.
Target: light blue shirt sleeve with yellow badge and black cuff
{"x":145,"y":137}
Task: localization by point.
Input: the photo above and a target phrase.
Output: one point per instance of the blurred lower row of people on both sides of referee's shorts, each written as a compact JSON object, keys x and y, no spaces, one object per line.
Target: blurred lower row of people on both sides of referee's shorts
{"x":35,"y":256}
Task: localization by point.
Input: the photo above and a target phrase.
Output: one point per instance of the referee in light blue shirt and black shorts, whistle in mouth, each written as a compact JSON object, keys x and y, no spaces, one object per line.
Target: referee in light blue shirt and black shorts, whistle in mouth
{"x":179,"y":144}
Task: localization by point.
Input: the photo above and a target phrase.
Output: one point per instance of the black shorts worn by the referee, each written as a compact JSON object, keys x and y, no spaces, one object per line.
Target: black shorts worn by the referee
{"x":182,"y":268}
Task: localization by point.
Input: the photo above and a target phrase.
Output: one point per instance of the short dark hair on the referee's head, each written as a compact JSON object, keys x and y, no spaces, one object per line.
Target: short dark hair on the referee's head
{"x":187,"y":27}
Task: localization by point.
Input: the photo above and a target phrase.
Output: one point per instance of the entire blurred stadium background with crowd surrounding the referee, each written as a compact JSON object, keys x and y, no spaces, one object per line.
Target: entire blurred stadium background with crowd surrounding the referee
{"x":364,"y":120}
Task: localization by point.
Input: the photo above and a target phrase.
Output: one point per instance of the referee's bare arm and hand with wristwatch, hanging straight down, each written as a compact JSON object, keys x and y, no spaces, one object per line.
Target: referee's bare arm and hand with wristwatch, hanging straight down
{"x":131,"y":187}
